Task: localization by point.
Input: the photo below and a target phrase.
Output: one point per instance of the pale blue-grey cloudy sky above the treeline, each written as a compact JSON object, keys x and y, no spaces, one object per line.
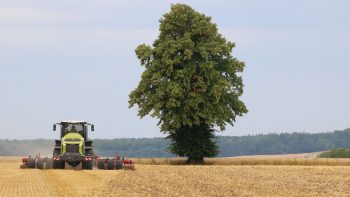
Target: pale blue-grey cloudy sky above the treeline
{"x":75,"y":60}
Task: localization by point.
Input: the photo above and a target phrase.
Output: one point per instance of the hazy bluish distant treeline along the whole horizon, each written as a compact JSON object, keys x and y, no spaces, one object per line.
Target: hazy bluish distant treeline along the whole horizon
{"x":284,"y":143}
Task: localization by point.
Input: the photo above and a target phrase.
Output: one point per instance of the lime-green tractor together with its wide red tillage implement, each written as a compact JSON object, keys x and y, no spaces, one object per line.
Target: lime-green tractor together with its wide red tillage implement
{"x":74,"y":151}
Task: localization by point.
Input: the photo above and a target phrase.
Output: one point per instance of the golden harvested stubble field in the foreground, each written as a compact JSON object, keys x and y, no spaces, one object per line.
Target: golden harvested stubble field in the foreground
{"x":222,"y":179}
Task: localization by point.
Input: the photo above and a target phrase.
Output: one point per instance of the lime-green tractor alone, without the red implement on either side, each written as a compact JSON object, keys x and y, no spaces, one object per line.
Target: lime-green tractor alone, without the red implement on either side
{"x":73,"y":149}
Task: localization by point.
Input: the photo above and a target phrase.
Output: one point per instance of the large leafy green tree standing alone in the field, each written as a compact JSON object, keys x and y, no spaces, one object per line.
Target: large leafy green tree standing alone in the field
{"x":191,"y":82}
